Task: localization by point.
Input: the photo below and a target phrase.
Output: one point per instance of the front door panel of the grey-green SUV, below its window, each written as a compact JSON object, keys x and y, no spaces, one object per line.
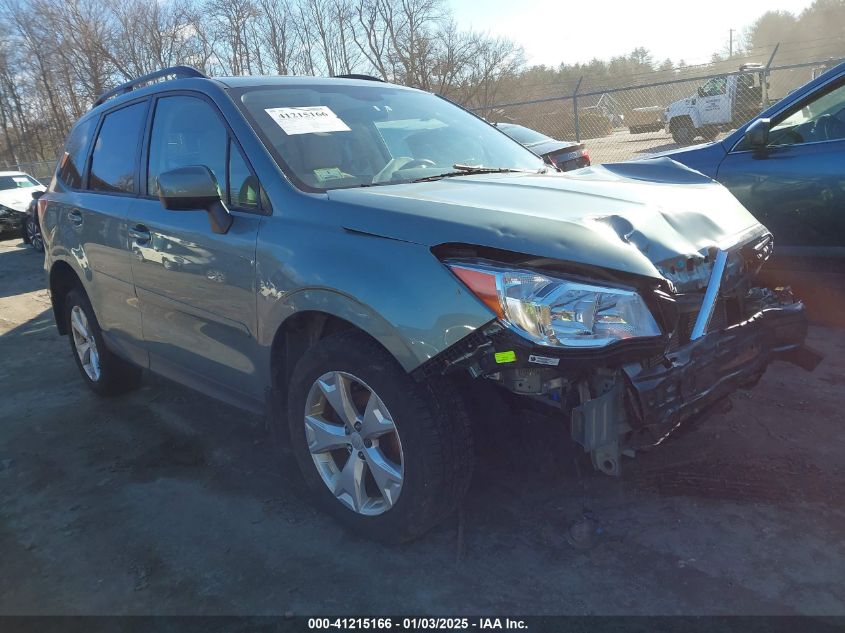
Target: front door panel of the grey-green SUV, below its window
{"x":197,"y":294}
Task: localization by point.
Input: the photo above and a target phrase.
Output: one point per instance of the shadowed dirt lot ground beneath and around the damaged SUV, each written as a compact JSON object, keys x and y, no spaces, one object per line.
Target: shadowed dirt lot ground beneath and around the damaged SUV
{"x":166,"y":502}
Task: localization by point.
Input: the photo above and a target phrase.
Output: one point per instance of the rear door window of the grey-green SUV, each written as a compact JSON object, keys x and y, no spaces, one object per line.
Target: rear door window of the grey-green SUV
{"x":115,"y":153}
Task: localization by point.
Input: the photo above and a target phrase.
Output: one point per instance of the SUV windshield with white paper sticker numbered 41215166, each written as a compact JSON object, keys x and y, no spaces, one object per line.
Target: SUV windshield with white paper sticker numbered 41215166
{"x":332,"y":136}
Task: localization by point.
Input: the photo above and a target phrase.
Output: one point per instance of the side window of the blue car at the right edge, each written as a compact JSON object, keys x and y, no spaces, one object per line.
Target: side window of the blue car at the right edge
{"x":822,"y":119}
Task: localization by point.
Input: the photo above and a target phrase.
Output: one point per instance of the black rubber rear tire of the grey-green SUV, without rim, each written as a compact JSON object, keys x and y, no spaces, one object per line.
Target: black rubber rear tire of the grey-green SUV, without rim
{"x":116,"y":375}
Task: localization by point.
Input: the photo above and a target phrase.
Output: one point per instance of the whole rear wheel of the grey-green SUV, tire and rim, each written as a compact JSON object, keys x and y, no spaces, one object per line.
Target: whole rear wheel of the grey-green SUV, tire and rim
{"x":103,"y":371}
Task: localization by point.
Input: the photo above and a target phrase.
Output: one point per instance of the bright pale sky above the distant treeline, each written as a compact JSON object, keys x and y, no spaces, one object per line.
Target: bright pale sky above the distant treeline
{"x":573,"y":31}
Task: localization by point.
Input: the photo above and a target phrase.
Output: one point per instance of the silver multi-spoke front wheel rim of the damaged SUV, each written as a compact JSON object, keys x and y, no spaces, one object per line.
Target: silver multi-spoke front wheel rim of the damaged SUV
{"x":354,"y":443}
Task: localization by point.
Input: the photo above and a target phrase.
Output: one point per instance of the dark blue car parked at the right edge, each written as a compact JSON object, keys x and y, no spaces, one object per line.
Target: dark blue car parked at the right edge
{"x":787,"y":167}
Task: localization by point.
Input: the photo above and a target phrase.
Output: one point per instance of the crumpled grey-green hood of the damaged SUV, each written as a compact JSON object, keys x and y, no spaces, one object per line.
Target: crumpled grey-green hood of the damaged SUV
{"x":641,"y":218}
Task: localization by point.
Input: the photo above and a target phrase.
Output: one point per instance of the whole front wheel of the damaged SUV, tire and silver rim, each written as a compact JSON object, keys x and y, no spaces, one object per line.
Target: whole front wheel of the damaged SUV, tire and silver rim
{"x":385,"y":455}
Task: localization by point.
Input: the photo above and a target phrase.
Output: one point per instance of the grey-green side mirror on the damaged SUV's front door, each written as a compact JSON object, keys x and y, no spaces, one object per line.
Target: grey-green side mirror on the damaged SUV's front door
{"x":194,"y":188}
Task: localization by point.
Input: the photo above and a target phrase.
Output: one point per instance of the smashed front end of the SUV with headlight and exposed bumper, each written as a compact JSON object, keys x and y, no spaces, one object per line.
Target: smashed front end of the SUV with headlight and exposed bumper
{"x":714,"y":331}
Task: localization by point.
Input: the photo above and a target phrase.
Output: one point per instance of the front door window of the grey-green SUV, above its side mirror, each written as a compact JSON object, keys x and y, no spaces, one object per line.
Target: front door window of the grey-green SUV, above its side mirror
{"x":187,"y":131}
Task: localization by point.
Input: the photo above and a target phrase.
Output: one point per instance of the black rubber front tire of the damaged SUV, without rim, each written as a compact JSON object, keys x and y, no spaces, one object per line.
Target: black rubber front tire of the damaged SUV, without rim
{"x":431,"y":422}
